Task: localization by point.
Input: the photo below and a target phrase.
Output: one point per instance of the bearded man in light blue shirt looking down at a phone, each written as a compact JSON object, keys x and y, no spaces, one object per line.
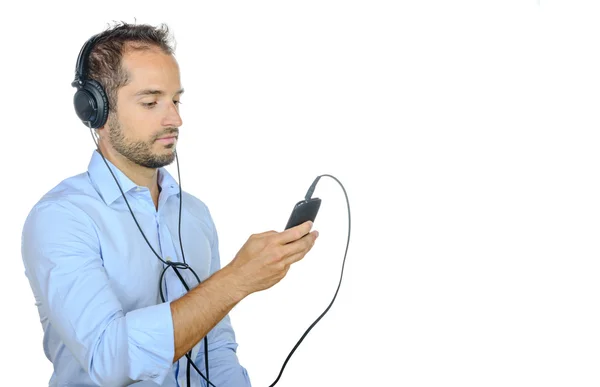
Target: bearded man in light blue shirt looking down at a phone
{"x":98,"y":282}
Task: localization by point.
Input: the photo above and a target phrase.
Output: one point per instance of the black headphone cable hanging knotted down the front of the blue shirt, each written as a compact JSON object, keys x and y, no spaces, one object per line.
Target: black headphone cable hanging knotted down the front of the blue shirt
{"x":168,"y":264}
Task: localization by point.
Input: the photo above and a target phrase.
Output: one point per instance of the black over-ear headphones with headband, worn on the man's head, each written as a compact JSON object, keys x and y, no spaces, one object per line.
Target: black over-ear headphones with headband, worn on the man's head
{"x":90,"y":100}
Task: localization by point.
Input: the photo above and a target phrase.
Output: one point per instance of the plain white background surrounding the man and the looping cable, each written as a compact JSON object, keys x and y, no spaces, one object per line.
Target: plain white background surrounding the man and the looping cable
{"x":466,"y":136}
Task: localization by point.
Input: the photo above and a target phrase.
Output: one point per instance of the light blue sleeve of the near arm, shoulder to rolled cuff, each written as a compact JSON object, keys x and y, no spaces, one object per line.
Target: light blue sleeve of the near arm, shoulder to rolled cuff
{"x":63,"y":263}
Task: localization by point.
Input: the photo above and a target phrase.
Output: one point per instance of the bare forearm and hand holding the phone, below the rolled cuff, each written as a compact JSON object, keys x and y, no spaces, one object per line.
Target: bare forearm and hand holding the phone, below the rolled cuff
{"x":262,"y":262}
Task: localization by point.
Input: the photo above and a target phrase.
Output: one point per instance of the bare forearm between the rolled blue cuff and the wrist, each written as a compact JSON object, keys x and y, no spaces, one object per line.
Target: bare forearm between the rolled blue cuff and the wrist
{"x":198,"y":311}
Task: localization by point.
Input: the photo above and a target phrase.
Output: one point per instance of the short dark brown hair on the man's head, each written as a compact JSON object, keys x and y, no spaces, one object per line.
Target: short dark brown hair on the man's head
{"x":105,"y":61}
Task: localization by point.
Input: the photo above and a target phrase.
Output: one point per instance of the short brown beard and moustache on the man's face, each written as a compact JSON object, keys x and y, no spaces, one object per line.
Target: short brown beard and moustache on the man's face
{"x":138,"y":152}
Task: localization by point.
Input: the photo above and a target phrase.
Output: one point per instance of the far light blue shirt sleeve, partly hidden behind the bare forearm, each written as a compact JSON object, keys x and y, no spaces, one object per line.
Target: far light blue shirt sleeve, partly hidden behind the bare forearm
{"x":224,"y":367}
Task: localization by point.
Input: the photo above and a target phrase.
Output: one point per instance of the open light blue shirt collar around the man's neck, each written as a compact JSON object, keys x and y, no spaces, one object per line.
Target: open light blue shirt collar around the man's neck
{"x":106,"y":186}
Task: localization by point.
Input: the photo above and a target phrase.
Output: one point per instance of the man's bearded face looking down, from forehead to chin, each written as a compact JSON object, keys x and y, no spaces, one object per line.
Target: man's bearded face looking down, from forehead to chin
{"x":147,"y":109}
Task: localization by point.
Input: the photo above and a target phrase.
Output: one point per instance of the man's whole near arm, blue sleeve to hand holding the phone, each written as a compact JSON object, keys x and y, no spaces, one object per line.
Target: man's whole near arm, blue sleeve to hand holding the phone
{"x":61,"y":254}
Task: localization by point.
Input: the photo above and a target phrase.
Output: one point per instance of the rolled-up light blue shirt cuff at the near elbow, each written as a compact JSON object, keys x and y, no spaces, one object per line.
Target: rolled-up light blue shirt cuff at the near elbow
{"x":151,"y":345}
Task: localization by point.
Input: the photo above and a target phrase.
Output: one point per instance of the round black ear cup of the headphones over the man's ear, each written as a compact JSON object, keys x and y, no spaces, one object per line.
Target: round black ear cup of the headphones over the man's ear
{"x":91,"y":104}
